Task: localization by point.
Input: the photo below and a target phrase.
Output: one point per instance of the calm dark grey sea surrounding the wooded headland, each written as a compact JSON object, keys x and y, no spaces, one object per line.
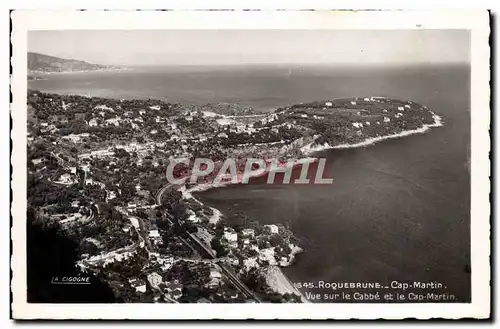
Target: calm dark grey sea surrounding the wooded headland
{"x":397,"y":211}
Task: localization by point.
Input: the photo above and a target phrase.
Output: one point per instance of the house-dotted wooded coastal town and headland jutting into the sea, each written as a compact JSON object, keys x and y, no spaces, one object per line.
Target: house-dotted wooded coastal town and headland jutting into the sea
{"x":96,"y":172}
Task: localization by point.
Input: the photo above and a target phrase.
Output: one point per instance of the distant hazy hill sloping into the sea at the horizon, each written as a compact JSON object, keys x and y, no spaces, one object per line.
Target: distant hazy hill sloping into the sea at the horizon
{"x":44,"y":63}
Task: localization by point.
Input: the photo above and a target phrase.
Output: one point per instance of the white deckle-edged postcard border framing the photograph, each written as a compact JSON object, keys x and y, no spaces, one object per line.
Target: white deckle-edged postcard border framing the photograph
{"x":475,"y":20}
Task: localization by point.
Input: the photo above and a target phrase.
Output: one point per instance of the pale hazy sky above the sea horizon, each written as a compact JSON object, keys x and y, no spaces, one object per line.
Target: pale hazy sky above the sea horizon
{"x":222,"y":47}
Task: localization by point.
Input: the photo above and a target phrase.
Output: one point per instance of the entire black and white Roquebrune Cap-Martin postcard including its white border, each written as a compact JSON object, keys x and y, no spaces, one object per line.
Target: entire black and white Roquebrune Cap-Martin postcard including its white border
{"x":255,"y":164}
